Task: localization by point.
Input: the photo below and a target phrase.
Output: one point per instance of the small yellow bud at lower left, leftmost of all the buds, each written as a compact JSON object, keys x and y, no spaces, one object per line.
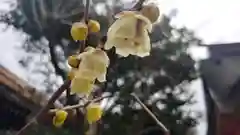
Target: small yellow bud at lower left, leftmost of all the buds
{"x":59,"y":118}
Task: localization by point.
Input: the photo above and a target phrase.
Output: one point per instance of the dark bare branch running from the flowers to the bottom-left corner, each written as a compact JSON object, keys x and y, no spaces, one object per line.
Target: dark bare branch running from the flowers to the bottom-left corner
{"x":54,"y":97}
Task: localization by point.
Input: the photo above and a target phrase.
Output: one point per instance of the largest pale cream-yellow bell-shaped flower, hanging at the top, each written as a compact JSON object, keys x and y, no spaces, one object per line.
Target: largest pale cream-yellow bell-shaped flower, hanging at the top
{"x":129,"y":34}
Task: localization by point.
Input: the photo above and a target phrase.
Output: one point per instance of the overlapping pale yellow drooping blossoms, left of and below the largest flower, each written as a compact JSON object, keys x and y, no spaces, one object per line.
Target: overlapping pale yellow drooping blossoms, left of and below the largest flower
{"x":93,"y":65}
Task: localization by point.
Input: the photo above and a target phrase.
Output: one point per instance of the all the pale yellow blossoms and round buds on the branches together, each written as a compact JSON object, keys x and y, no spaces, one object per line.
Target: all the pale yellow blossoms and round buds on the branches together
{"x":129,"y":34}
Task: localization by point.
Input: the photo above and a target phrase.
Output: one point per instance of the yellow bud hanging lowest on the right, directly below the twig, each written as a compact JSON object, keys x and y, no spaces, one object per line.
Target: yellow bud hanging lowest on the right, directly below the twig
{"x":93,"y":113}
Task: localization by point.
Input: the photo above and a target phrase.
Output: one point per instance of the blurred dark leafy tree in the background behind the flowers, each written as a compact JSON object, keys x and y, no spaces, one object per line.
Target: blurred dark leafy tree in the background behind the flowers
{"x":160,"y":80}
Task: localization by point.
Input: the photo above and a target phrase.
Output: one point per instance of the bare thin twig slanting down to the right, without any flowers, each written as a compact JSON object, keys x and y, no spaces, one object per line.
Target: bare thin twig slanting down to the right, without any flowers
{"x":160,"y":124}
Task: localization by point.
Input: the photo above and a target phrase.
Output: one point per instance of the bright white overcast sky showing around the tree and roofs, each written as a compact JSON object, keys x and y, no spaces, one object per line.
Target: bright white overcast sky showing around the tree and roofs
{"x":213,"y":21}
